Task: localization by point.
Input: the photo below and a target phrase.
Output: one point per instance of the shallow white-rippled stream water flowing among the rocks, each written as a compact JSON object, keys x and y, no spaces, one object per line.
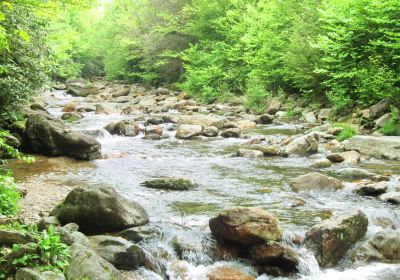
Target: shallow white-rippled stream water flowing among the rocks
{"x":223,"y":181}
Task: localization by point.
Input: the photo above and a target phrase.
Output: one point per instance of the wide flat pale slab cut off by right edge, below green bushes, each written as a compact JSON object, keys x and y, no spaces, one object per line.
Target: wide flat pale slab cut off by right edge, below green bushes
{"x":385,"y":147}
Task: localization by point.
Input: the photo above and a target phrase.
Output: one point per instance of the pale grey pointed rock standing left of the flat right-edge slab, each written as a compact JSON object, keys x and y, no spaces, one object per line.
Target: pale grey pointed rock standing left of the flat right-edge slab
{"x":303,"y":145}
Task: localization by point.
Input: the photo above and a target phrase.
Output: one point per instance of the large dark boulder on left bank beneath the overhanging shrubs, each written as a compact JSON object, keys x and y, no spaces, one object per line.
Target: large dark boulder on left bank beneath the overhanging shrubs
{"x":50,"y":136}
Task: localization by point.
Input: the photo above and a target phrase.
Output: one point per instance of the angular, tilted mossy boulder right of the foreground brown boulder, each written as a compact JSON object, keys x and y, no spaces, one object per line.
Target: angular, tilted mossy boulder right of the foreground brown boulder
{"x":331,"y":239}
